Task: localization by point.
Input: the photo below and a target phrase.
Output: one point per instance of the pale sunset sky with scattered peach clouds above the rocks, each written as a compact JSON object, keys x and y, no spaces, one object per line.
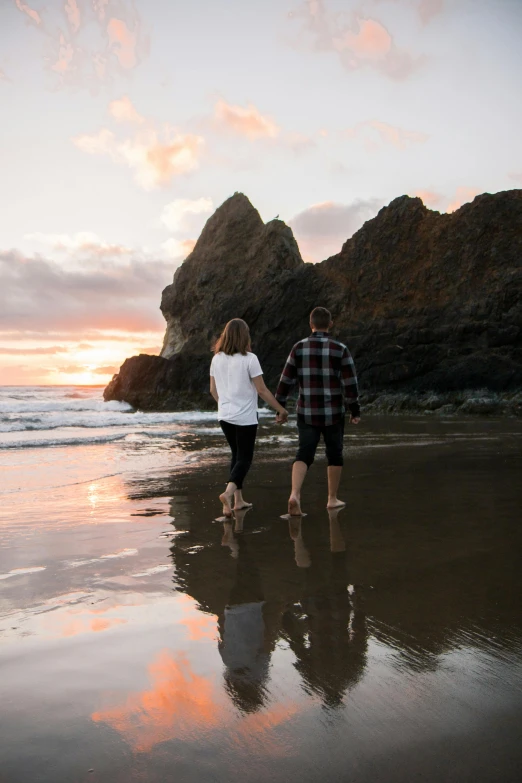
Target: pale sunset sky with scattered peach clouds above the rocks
{"x":126,"y":123}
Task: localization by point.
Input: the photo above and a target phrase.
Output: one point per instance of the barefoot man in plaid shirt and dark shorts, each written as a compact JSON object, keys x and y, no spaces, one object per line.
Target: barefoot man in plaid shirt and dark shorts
{"x":325,"y":371}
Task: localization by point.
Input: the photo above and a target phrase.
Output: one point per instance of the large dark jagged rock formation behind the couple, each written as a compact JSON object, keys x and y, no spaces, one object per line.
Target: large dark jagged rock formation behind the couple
{"x":426,"y":302}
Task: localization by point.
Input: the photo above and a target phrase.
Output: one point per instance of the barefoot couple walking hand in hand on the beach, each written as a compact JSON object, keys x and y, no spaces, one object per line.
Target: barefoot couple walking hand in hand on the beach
{"x":325,"y":373}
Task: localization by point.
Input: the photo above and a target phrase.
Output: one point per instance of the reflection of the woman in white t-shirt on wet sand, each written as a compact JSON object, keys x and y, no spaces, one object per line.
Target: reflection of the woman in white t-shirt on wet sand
{"x":245,"y":644}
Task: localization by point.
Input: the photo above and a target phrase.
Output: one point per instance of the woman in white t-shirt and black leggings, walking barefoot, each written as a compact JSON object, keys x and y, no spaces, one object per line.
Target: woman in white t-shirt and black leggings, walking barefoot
{"x":236,"y":380}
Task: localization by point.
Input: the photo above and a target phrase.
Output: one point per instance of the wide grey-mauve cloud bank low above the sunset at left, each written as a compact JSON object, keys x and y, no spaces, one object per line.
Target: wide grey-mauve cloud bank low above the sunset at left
{"x":40,"y":295}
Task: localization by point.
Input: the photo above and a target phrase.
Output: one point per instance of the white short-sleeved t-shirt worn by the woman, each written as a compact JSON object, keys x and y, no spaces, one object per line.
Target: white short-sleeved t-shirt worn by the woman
{"x":236,"y":391}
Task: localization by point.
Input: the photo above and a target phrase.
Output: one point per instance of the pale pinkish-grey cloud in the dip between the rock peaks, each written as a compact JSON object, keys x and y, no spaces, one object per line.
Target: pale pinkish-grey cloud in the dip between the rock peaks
{"x":322,"y":229}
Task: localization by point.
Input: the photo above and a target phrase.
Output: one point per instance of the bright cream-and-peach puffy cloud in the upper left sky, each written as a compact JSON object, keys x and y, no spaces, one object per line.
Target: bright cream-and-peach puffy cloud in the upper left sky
{"x":155,"y":158}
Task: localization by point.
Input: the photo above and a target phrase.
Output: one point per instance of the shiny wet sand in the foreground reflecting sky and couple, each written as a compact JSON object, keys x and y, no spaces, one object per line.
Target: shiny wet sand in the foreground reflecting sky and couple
{"x":142,"y":641}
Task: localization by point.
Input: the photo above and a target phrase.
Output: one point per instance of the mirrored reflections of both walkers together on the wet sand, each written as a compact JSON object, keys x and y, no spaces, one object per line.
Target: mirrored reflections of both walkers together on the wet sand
{"x":323,"y":630}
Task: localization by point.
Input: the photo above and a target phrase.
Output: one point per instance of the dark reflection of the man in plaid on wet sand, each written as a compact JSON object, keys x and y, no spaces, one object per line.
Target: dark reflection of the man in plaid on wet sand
{"x":326,"y":631}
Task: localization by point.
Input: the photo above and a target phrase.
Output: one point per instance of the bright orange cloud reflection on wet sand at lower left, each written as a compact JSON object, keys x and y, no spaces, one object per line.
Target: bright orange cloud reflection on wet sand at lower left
{"x":179,"y":703}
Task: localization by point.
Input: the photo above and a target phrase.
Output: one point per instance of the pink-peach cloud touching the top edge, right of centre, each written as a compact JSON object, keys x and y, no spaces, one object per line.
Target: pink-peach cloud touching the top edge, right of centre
{"x":362,"y":42}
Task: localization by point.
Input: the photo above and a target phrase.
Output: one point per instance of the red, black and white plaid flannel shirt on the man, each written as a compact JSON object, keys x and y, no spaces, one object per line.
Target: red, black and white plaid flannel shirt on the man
{"x":327,"y":381}
